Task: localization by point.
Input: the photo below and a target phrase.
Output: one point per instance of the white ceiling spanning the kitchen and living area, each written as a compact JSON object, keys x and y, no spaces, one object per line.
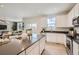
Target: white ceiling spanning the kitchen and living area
{"x":33,"y":9}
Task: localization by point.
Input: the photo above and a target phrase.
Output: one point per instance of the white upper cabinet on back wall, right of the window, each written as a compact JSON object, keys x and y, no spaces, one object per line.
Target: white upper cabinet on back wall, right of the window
{"x":61,"y":20}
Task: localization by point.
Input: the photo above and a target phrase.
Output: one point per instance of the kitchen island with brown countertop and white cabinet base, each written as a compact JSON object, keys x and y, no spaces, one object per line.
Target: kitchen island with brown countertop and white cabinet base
{"x":22,"y":47}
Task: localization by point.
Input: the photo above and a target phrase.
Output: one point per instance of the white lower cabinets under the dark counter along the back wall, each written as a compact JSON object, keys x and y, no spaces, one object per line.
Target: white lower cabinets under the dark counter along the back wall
{"x":56,"y":38}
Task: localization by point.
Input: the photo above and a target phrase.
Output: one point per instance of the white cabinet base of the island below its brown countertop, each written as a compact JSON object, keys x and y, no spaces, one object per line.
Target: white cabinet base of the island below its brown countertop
{"x":36,"y":48}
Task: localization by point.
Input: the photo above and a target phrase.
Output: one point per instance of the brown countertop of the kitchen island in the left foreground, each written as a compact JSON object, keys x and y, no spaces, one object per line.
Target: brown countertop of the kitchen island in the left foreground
{"x":15,"y":46}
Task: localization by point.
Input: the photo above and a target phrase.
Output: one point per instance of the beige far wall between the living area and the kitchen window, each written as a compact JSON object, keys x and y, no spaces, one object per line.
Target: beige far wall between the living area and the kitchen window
{"x":39,"y":20}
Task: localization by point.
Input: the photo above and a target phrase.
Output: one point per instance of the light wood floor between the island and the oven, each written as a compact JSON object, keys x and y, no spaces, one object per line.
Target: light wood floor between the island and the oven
{"x":54,"y":49}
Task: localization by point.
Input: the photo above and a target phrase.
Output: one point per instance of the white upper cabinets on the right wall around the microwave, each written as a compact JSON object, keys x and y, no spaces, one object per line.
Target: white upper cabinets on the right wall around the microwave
{"x":74,"y":12}
